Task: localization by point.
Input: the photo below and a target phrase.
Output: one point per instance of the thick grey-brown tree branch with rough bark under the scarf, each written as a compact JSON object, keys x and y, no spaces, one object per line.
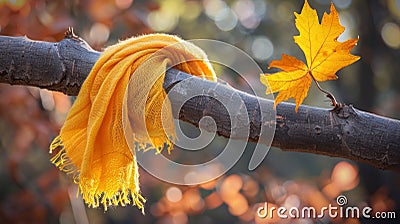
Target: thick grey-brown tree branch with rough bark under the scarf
{"x":346,"y":133}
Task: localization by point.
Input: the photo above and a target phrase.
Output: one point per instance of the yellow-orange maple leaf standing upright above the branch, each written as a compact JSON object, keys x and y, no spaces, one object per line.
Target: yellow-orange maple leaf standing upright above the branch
{"x":324,"y":56}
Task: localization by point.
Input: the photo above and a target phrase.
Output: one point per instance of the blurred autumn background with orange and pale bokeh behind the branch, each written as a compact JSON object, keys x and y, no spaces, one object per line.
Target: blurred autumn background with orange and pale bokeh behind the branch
{"x":33,"y":191}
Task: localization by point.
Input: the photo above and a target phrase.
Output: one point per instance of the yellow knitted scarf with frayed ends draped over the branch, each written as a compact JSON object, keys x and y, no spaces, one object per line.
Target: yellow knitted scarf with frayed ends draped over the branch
{"x":92,"y":146}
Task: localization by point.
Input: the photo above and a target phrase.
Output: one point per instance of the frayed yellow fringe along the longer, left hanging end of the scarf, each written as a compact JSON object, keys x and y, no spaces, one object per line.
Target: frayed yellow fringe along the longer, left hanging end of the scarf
{"x":122,"y":197}
